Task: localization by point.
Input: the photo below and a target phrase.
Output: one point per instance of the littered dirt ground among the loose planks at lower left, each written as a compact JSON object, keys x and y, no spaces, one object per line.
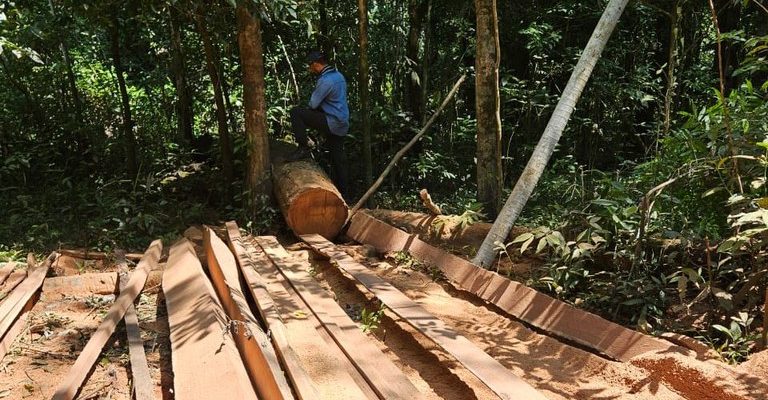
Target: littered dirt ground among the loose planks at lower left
{"x":60,"y":326}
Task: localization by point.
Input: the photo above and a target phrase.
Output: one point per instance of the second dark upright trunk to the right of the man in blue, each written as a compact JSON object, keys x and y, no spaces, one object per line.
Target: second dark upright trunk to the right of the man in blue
{"x":416,"y":9}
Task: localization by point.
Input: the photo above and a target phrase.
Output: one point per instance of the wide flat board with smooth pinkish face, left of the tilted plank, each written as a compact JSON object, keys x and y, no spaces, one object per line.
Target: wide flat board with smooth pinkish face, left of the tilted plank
{"x":206,"y":364}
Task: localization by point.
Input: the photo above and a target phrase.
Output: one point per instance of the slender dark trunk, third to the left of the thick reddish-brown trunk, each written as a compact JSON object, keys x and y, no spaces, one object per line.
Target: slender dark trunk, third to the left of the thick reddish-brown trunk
{"x":125,"y":101}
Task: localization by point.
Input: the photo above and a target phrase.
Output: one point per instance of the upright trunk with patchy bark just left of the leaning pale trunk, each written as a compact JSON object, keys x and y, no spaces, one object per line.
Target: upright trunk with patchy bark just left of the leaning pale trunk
{"x":487,"y":103}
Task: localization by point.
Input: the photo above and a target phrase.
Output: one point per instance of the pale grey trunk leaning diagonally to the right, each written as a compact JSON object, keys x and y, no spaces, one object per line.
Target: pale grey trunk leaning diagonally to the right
{"x":562,"y":113}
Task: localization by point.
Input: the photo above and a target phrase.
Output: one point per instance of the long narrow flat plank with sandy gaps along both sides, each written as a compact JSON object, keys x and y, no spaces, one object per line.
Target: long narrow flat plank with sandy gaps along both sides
{"x":498,"y":378}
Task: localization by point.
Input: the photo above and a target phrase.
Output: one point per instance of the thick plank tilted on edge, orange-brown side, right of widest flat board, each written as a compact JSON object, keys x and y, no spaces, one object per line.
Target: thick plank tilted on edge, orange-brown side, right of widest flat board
{"x":259,"y":357}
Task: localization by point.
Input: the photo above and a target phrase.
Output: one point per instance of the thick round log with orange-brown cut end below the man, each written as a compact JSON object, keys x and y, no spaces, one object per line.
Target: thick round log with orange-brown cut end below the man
{"x":308,"y":199}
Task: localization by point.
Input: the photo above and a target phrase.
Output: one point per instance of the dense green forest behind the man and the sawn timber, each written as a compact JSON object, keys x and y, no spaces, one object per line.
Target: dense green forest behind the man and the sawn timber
{"x":124,"y":121}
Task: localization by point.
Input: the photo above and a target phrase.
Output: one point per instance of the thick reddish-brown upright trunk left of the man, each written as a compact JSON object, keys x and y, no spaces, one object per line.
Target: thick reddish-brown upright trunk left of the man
{"x":251,"y":57}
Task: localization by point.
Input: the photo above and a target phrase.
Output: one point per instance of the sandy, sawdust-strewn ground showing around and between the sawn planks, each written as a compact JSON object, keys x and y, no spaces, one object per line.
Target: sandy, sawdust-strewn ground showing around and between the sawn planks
{"x":61,"y":325}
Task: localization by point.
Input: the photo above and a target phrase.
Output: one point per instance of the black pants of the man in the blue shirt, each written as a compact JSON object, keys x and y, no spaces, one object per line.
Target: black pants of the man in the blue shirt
{"x":305,"y":118}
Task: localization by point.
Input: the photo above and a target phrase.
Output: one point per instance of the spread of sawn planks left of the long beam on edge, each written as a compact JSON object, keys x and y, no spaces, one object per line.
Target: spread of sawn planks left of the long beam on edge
{"x":247,"y":320}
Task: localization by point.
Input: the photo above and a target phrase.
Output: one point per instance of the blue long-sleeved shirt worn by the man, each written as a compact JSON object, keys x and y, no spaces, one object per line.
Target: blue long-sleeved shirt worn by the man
{"x":330,"y":97}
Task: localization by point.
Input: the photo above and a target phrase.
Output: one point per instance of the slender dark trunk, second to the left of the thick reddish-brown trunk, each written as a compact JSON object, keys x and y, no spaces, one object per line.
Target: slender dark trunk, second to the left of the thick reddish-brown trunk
{"x":184,"y":112}
